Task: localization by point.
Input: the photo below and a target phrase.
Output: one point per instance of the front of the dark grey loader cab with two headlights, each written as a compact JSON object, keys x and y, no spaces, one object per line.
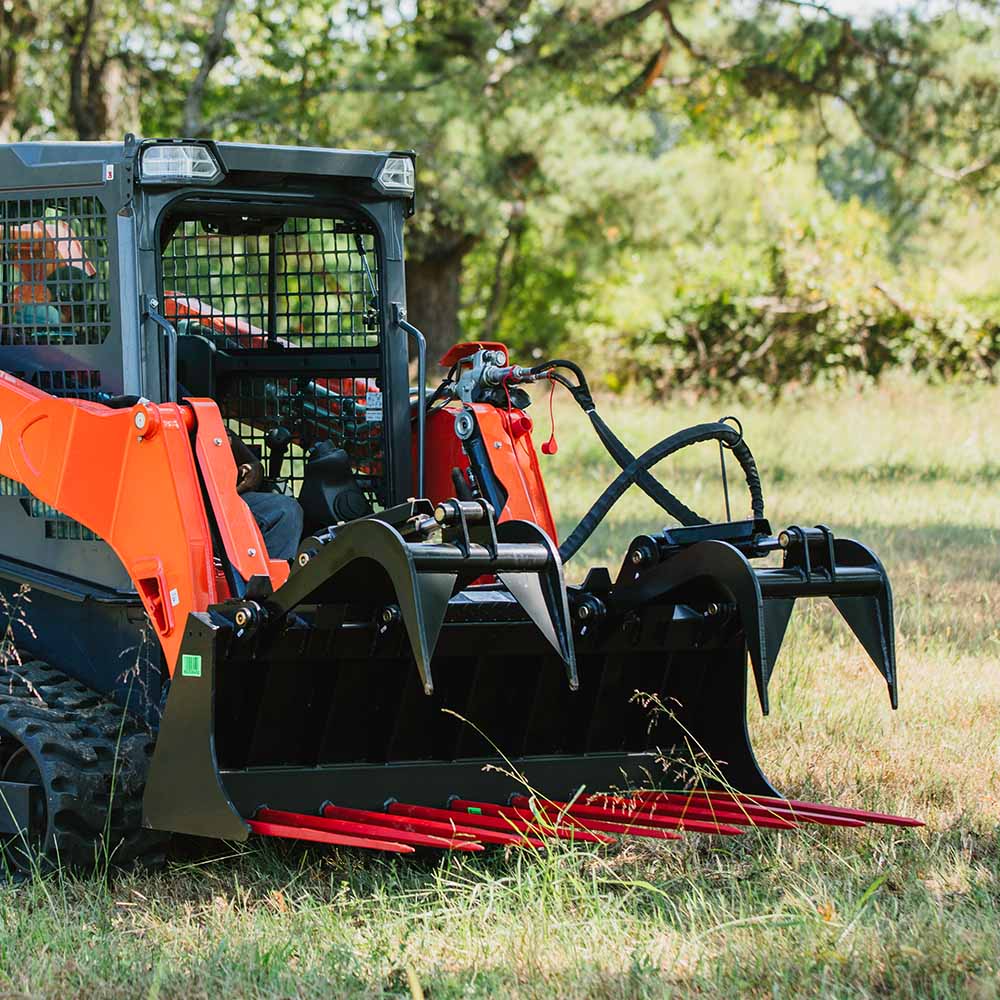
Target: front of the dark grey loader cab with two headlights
{"x":276,"y":273}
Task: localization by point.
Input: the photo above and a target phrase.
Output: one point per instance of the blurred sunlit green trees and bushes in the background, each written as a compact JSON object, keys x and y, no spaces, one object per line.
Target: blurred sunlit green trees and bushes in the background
{"x":696,"y":192}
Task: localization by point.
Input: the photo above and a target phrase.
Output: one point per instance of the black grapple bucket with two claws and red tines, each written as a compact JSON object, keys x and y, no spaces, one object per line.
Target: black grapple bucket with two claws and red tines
{"x":384,"y":698}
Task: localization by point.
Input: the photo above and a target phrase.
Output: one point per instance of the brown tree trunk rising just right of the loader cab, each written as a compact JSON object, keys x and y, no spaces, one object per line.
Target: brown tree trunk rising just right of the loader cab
{"x":433,"y":295}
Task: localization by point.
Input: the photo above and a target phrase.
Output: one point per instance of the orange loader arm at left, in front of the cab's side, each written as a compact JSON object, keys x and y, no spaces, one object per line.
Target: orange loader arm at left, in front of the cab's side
{"x":132,"y":477}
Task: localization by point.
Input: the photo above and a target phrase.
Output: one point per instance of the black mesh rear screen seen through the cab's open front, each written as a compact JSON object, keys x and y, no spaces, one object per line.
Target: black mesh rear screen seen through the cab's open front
{"x":293,"y":283}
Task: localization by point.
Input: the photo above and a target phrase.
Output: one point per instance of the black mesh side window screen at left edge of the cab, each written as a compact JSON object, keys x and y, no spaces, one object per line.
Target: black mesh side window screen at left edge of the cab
{"x":54,"y":271}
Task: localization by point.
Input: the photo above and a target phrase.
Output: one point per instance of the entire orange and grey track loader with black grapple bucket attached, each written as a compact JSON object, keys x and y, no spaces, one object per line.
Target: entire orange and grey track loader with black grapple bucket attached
{"x":419,"y":675}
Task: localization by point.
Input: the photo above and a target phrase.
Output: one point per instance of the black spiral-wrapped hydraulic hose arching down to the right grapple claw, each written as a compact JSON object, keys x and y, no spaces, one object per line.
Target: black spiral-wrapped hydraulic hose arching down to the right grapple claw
{"x":725,"y":433}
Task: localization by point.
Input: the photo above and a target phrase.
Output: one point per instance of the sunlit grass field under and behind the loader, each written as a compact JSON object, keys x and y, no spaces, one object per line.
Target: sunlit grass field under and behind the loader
{"x":912,"y":470}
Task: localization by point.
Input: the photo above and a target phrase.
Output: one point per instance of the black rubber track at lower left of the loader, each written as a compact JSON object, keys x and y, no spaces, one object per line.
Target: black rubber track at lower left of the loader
{"x":92,"y":758}
